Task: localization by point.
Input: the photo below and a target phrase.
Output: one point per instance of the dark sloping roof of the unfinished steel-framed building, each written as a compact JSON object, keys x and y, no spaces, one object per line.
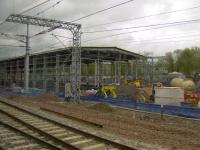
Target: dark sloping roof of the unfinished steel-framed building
{"x":89,"y":54}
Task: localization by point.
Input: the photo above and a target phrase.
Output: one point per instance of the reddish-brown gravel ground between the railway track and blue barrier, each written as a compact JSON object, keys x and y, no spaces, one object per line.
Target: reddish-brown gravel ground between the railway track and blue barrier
{"x":138,"y":127}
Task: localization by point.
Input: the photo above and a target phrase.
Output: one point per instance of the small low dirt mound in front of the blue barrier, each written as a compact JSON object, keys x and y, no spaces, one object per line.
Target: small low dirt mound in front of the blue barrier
{"x":102,"y":107}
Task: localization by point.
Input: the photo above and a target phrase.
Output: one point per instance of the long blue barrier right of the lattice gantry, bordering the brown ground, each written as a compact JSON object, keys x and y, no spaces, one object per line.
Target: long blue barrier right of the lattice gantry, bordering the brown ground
{"x":188,"y":112}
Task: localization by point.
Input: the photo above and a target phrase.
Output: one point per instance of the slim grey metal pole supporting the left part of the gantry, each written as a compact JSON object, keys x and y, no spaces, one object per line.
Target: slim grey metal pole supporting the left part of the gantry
{"x":27,"y":61}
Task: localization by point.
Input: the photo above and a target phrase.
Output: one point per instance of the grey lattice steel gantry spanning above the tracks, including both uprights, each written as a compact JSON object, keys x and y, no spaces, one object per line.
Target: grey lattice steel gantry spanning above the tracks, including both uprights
{"x":55,"y":24}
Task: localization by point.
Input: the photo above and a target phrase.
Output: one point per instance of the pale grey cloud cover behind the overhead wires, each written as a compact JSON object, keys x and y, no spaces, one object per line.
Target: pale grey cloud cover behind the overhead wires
{"x":72,"y":9}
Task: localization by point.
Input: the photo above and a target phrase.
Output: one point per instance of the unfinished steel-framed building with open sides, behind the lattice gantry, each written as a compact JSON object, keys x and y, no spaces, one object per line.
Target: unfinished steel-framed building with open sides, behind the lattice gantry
{"x":51,"y":70}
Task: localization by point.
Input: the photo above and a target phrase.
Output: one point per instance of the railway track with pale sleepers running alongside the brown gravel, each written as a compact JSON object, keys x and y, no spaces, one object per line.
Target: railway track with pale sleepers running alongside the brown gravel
{"x":53,"y":134}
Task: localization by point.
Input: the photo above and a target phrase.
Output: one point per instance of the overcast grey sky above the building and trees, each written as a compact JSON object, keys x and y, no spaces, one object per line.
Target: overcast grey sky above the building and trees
{"x":156,"y":41}
